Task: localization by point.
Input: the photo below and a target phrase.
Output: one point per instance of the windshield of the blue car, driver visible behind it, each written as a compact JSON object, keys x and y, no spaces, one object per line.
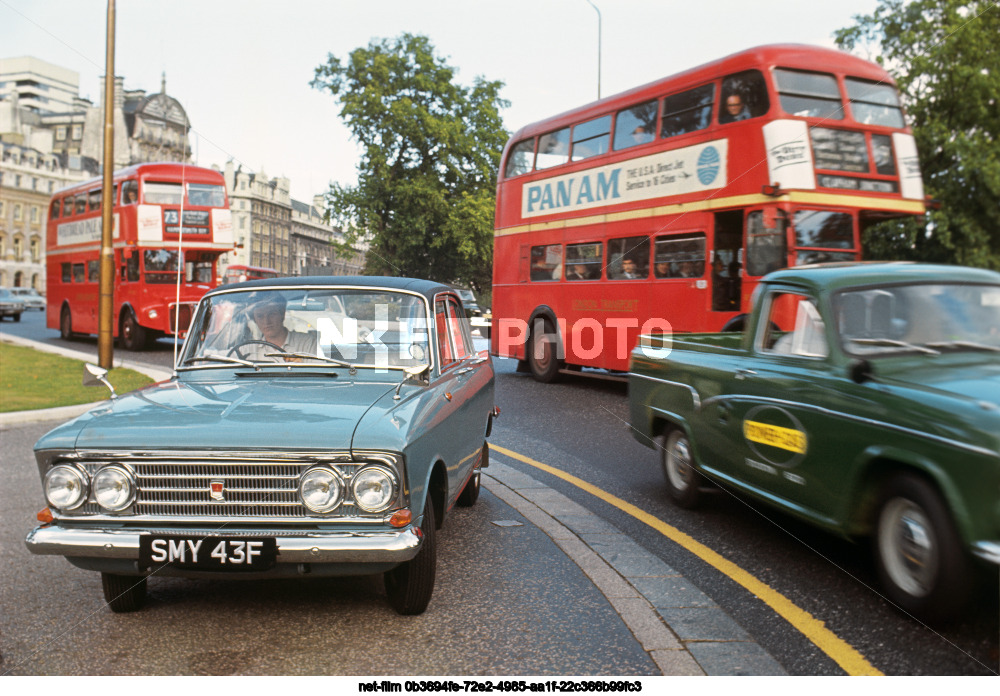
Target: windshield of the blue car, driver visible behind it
{"x":309,"y":326}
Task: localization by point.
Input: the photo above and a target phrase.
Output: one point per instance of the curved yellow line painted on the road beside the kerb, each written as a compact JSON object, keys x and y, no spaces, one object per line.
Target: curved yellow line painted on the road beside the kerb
{"x":849,"y":659}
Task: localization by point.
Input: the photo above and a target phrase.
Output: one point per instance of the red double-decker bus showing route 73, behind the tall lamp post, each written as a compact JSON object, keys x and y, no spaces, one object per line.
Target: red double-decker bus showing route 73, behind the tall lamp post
{"x":153,"y":250}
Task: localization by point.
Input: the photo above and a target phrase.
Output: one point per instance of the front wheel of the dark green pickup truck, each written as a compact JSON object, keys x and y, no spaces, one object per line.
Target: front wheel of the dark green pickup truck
{"x":918,"y":552}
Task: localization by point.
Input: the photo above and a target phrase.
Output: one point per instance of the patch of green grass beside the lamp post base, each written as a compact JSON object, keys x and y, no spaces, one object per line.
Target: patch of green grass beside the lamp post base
{"x":31,"y":379}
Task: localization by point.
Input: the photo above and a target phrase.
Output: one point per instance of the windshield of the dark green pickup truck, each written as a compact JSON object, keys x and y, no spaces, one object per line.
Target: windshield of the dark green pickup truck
{"x":924,"y":318}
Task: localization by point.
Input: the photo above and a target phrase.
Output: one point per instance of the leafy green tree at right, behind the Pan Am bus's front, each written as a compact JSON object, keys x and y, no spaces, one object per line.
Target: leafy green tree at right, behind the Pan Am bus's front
{"x":943,"y":55}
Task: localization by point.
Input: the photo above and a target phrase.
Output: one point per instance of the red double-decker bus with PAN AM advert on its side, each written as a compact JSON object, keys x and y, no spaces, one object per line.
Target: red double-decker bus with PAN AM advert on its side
{"x":658,"y":209}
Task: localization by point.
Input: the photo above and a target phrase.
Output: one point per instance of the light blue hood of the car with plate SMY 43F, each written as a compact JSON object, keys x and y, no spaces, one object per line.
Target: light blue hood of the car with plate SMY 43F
{"x":294,"y":413}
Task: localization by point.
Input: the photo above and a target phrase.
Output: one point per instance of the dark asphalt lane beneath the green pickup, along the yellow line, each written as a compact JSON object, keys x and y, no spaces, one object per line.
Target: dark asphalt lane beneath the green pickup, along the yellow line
{"x":582,"y":422}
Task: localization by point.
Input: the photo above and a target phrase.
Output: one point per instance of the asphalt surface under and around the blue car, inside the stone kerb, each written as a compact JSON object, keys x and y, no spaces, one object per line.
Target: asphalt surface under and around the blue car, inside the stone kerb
{"x":507,"y":602}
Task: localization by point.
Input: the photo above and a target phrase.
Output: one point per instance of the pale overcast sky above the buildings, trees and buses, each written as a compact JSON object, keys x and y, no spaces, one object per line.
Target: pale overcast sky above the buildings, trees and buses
{"x":241,"y":68}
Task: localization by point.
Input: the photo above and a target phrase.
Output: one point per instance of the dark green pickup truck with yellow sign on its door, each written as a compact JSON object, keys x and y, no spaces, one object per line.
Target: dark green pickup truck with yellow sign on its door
{"x":863,"y":398}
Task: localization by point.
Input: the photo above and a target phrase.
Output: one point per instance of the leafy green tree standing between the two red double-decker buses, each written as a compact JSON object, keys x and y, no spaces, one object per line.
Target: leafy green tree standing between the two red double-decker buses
{"x":425,"y":195}
